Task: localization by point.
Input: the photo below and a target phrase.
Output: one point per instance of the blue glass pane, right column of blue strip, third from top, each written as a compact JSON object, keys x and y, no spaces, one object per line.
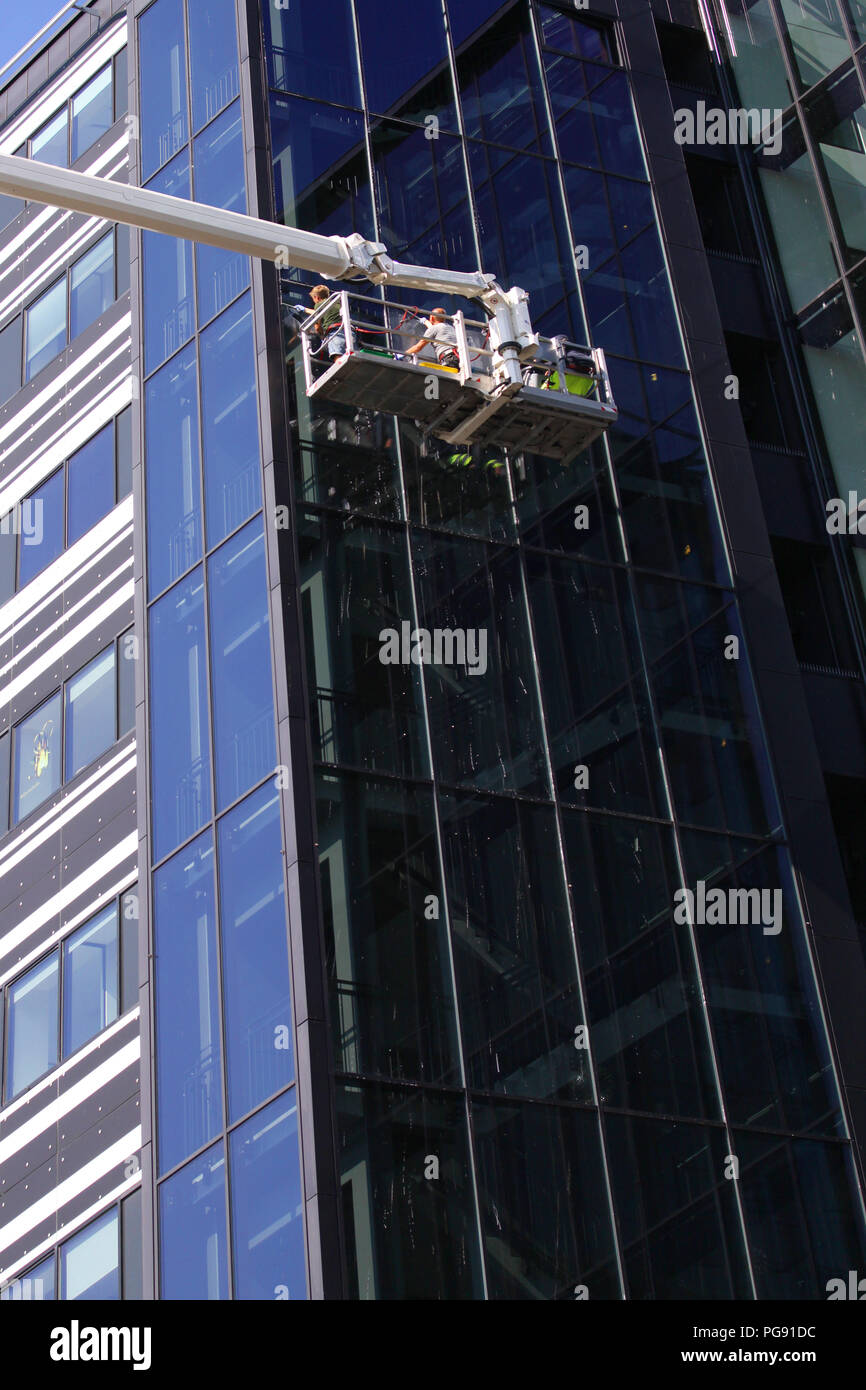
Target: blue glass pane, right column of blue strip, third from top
{"x":230,"y":422}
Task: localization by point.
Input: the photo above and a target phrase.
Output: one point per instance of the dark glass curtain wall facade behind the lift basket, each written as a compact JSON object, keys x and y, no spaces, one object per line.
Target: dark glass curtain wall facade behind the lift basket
{"x":543,"y":1075}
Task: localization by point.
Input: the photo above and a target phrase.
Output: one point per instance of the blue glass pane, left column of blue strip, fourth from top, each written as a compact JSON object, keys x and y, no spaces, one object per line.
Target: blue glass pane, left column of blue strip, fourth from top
{"x":180,"y":717}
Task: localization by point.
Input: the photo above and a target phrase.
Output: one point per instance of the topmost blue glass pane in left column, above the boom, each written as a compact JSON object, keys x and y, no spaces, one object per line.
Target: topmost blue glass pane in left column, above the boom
{"x":163,"y":84}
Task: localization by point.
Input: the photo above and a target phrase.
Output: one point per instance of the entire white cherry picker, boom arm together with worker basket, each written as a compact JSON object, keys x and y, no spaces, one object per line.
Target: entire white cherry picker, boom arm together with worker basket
{"x":509,"y":389}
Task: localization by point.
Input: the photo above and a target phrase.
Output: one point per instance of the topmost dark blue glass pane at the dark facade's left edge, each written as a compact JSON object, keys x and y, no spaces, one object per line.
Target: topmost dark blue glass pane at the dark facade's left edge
{"x":311,"y":51}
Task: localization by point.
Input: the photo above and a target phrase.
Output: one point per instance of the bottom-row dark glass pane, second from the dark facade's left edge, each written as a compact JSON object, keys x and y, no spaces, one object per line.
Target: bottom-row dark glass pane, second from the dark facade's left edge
{"x":539,"y":1246}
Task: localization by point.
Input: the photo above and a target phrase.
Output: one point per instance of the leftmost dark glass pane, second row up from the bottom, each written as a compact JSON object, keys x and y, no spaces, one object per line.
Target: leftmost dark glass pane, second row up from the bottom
{"x":384,"y":913}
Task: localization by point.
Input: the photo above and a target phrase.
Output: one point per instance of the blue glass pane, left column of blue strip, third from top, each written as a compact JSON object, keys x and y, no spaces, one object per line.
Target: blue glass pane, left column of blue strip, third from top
{"x":173,"y":472}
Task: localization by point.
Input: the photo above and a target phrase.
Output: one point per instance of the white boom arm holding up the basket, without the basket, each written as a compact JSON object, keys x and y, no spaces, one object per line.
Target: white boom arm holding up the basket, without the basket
{"x":334,"y":258}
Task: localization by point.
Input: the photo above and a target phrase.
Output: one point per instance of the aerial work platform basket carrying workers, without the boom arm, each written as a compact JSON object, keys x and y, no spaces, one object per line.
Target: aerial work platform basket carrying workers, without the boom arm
{"x":355,"y":352}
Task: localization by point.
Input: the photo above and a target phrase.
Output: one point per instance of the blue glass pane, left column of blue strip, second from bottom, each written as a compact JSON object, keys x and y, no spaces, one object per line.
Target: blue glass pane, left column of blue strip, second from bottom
{"x":190,"y":1071}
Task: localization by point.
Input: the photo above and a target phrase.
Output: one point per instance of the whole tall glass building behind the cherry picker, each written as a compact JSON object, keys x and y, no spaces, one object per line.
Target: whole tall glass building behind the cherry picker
{"x":325,"y":978}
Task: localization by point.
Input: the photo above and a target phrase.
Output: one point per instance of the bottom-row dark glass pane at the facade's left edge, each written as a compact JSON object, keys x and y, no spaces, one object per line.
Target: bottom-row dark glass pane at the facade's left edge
{"x":408,"y":1195}
